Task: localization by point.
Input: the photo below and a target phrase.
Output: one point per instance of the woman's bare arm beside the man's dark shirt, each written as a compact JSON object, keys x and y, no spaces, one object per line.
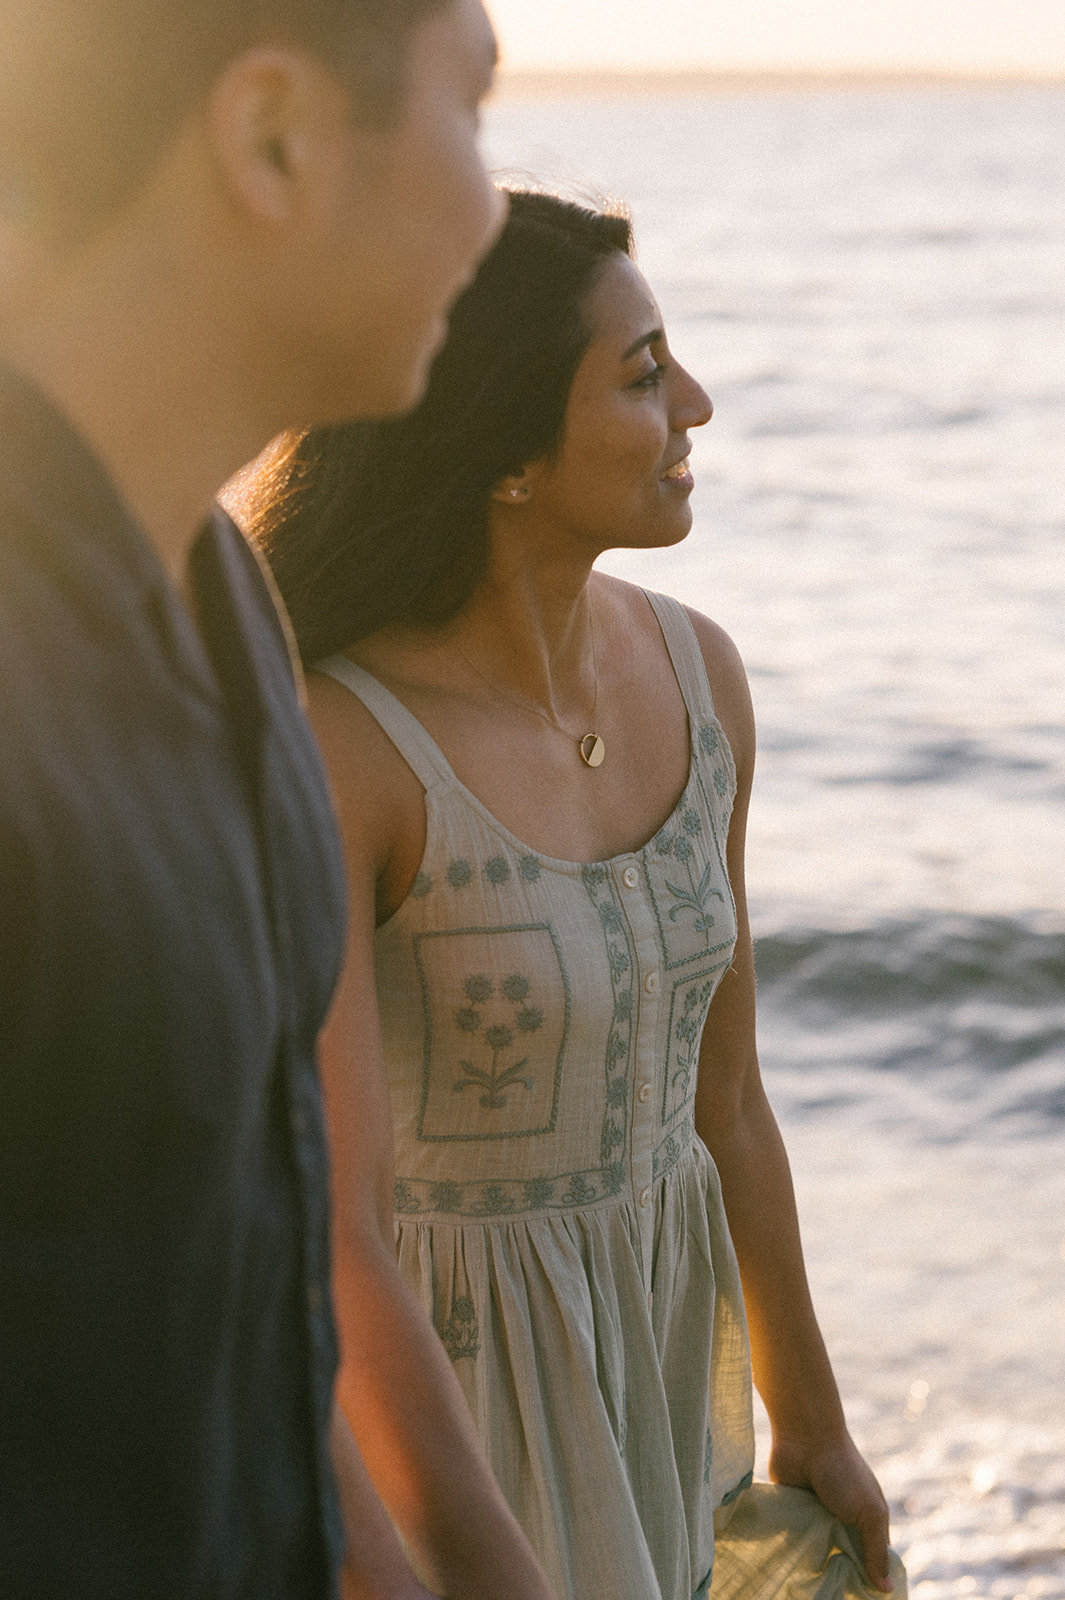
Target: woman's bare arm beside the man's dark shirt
{"x":397,"y":1388}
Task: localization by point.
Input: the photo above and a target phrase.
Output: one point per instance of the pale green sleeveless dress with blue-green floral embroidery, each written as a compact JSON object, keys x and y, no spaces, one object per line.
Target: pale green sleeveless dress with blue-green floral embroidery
{"x":556,"y":1212}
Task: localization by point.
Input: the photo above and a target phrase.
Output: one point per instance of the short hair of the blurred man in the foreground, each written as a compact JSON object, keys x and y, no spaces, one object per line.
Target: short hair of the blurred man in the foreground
{"x":92,"y":90}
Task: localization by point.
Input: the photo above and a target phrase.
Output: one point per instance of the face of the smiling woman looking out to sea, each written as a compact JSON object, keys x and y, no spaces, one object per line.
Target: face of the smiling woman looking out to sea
{"x":620,"y":476}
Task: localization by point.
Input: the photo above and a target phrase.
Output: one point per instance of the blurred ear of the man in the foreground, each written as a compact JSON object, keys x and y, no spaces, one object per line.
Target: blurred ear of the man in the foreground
{"x":273,"y":119}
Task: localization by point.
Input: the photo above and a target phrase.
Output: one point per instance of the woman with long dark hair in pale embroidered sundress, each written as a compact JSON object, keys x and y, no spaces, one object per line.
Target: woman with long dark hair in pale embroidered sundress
{"x":543,"y":780}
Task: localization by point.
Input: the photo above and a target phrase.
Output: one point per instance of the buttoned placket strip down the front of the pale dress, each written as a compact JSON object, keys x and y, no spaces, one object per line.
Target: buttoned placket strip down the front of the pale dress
{"x":648,"y":986}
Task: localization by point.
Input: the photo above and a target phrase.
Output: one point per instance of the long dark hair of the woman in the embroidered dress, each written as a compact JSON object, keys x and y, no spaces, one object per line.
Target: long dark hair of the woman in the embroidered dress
{"x":385,"y":522}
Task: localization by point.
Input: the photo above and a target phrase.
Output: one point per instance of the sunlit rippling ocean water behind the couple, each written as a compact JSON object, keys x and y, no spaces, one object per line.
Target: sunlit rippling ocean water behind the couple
{"x":871,"y":282}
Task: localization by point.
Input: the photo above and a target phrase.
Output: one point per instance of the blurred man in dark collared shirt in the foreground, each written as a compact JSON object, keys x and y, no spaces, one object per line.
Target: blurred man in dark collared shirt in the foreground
{"x":220,"y":218}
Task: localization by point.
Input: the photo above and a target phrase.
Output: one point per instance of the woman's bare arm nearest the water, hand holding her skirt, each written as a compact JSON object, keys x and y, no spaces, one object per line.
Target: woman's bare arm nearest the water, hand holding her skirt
{"x":812,"y":1447}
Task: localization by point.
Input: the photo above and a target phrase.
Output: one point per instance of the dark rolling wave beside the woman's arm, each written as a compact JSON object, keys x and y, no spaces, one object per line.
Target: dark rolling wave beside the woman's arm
{"x":938,"y":1023}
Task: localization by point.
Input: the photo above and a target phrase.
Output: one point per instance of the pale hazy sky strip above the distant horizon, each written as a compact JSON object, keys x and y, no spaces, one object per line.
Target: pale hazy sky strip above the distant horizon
{"x":978,"y":36}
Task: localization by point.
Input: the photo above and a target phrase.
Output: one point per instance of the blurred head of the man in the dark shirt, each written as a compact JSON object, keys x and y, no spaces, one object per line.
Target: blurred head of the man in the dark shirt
{"x":308,"y":169}
